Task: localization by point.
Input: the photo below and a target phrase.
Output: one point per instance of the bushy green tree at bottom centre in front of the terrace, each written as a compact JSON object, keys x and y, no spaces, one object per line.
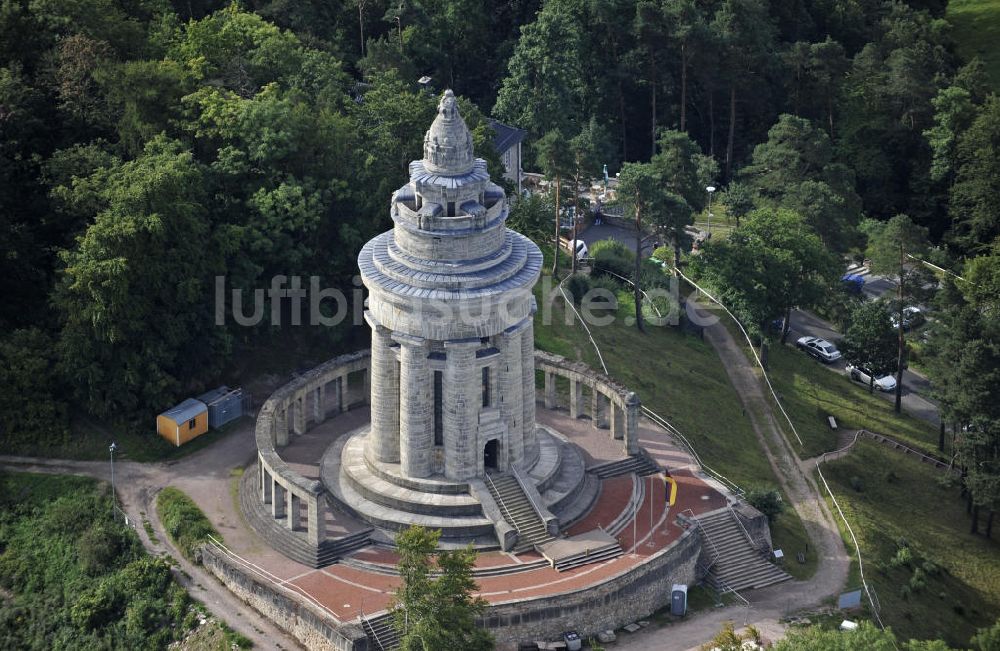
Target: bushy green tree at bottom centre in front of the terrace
{"x":436,"y":613}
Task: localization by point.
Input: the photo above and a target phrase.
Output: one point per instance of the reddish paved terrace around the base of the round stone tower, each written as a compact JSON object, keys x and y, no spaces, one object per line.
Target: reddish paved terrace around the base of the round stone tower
{"x":364,"y":582}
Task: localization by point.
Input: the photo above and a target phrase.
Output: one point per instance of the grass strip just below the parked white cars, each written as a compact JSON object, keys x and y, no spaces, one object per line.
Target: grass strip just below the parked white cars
{"x":810,"y":392}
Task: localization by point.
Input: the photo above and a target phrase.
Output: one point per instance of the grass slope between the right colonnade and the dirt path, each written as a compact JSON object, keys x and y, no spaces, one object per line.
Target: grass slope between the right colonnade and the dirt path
{"x":680,"y":377}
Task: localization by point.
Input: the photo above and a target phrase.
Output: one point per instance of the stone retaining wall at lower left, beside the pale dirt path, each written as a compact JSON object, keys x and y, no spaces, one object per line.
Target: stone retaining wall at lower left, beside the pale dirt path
{"x":303,"y":621}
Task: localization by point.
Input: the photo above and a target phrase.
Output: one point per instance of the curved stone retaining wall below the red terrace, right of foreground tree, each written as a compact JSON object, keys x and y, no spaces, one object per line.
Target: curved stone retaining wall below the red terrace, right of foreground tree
{"x":632,"y":595}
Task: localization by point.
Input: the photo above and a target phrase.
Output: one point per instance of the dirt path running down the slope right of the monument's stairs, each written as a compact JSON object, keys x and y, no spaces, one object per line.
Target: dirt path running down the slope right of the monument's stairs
{"x":768,"y":605}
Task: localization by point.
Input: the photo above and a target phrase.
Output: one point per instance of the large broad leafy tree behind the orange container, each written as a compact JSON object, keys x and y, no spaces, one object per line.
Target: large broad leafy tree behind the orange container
{"x":135,"y":294}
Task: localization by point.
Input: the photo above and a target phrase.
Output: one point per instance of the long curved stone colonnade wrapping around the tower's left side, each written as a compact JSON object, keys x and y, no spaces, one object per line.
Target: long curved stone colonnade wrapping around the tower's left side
{"x":307,"y":400}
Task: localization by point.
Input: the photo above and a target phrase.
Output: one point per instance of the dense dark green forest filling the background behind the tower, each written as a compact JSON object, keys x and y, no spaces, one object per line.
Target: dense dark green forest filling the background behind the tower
{"x":149,"y":146}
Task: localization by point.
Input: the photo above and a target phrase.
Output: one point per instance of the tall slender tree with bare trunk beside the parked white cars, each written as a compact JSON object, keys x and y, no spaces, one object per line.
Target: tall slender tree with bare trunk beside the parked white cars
{"x":890,"y":247}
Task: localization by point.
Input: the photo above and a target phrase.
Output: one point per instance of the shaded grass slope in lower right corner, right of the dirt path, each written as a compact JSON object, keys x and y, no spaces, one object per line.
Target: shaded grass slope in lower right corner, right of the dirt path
{"x":901,"y":501}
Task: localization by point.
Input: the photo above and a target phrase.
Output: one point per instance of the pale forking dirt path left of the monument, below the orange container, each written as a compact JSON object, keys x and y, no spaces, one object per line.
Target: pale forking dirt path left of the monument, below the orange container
{"x":137,"y":485}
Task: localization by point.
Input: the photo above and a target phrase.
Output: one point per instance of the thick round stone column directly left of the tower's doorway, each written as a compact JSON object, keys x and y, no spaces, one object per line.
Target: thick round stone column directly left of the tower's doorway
{"x":462,"y":398}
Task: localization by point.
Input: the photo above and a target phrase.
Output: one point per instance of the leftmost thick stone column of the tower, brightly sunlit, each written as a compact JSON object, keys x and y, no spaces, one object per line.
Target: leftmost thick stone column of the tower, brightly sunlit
{"x":383,"y":441}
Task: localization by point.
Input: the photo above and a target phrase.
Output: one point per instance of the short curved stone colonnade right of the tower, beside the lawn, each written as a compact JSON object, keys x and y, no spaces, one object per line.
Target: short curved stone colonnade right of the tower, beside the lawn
{"x":611,"y":404}
